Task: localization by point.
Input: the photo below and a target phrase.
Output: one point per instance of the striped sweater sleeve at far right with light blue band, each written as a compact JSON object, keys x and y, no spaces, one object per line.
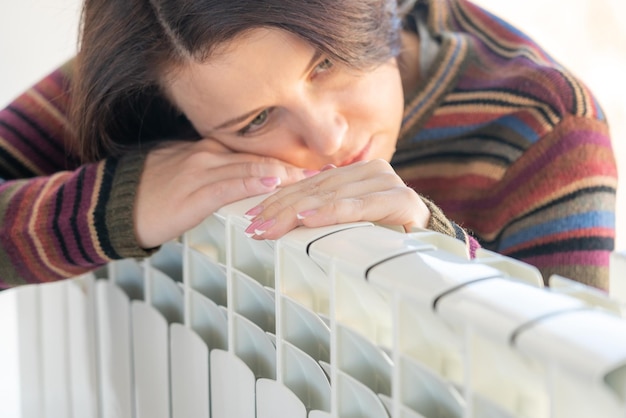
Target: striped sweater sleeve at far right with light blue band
{"x":559,"y":210}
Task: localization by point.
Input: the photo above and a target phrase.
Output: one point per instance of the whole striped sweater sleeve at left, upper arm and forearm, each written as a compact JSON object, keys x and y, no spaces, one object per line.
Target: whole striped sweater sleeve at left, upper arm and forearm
{"x":58,"y":218}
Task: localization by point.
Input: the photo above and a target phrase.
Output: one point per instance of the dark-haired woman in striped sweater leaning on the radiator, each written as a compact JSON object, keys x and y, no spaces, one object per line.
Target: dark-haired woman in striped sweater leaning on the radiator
{"x":180,"y":108}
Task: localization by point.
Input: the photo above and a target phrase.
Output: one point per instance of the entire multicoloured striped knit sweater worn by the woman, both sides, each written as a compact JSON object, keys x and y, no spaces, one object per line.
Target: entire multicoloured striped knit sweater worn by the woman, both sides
{"x":503,"y":139}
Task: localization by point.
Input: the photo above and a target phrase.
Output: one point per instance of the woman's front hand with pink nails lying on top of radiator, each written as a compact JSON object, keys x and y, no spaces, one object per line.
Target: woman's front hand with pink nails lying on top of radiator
{"x":364,"y":191}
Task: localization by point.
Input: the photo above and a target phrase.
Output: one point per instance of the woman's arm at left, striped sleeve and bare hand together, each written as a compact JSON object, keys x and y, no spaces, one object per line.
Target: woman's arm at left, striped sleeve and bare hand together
{"x":59,"y":218}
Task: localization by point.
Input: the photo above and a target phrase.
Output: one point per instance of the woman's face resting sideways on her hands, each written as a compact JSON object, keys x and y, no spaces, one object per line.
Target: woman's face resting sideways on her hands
{"x":271,"y":93}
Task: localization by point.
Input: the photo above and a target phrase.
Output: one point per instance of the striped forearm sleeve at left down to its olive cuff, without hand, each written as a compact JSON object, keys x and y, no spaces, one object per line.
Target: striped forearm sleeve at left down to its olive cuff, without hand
{"x":58,"y":226}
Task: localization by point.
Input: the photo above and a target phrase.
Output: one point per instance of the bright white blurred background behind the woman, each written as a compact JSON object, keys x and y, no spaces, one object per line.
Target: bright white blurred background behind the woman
{"x":587,"y":36}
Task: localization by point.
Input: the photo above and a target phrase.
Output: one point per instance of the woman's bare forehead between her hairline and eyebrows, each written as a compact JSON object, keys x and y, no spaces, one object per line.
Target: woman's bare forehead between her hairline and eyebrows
{"x":246,"y":73}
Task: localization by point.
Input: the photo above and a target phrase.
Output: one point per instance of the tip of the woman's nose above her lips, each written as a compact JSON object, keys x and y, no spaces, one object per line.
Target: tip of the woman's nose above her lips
{"x":324,"y":130}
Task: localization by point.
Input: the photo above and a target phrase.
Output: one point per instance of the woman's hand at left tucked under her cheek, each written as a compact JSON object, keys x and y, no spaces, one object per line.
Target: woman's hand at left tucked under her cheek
{"x":184,"y":182}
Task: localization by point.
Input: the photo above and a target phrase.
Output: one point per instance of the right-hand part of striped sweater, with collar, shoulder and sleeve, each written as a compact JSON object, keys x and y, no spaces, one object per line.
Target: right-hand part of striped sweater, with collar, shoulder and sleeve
{"x":511,"y":146}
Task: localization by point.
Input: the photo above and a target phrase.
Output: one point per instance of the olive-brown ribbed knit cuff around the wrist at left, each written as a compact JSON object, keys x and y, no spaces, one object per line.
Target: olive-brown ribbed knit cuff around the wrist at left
{"x":120,"y":207}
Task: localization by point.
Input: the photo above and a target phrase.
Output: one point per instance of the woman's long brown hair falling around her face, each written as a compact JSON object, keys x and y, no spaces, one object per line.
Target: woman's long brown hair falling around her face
{"x":128,"y":46}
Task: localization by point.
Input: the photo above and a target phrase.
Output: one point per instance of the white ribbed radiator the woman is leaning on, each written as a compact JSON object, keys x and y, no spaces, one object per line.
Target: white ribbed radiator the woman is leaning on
{"x":347,"y":321}
